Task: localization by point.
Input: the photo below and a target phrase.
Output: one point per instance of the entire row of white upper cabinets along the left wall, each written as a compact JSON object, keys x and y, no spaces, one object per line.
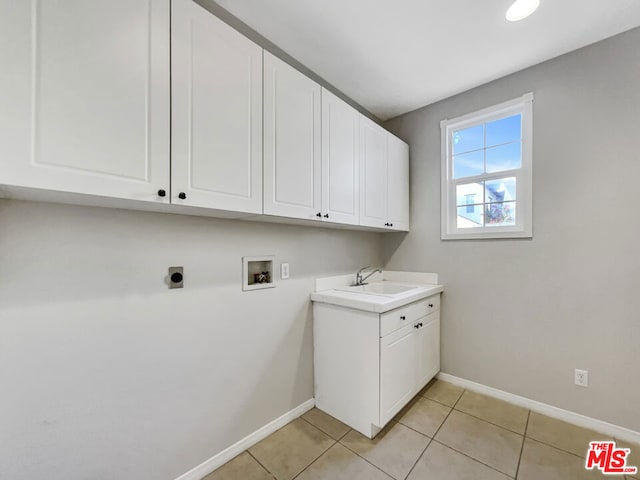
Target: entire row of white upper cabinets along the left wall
{"x":161,"y":102}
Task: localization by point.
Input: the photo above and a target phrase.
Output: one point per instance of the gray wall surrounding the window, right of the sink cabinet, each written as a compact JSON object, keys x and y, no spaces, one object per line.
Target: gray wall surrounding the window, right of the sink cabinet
{"x":520,"y":315}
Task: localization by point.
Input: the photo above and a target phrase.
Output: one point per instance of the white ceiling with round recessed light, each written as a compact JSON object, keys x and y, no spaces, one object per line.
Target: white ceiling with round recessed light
{"x":395,"y":56}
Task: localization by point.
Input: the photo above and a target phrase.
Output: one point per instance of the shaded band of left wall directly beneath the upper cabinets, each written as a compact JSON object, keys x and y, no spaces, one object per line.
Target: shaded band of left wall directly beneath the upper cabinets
{"x":53,"y":253}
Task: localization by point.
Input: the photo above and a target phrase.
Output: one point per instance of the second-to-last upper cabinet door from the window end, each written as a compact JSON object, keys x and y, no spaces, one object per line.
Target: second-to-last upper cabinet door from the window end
{"x":373,"y":174}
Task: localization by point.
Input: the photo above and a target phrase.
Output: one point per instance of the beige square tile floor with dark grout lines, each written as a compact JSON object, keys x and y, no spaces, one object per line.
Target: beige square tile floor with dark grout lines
{"x":445,"y":433}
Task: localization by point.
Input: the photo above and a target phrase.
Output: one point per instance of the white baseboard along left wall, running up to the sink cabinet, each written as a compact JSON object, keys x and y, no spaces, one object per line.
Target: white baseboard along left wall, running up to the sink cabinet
{"x":237,"y":448}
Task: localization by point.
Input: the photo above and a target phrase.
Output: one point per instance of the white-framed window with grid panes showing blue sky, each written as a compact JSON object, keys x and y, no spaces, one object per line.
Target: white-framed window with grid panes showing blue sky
{"x":486,"y":172}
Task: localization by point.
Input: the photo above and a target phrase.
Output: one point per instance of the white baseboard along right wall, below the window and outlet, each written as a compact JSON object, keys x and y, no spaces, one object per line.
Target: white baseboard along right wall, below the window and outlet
{"x":616,"y":431}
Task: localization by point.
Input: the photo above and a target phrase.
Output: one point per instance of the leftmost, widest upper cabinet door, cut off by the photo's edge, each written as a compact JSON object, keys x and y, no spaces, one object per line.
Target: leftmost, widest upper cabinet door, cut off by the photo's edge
{"x":84,"y":94}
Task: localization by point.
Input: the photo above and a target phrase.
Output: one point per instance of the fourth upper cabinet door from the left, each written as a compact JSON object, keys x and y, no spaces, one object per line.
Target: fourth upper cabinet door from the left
{"x":340,"y":160}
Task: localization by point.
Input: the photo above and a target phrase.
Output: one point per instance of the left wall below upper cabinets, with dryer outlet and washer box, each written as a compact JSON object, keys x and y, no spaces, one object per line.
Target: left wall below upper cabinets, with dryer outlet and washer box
{"x":107,"y":374}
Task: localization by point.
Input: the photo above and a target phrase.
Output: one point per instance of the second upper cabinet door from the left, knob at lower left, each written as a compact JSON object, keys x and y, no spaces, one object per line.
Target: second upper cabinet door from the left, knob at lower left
{"x":216,"y":76}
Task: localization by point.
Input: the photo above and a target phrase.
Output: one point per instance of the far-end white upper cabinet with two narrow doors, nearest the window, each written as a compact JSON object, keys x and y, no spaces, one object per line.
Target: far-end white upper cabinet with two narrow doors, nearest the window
{"x":384,"y":178}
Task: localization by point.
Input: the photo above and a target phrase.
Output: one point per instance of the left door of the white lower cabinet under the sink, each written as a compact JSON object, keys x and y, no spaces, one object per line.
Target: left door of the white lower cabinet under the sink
{"x":397,"y":370}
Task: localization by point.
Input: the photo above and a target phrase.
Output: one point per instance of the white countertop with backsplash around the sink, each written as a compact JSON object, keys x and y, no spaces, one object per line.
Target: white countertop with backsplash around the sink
{"x":372,"y":302}
